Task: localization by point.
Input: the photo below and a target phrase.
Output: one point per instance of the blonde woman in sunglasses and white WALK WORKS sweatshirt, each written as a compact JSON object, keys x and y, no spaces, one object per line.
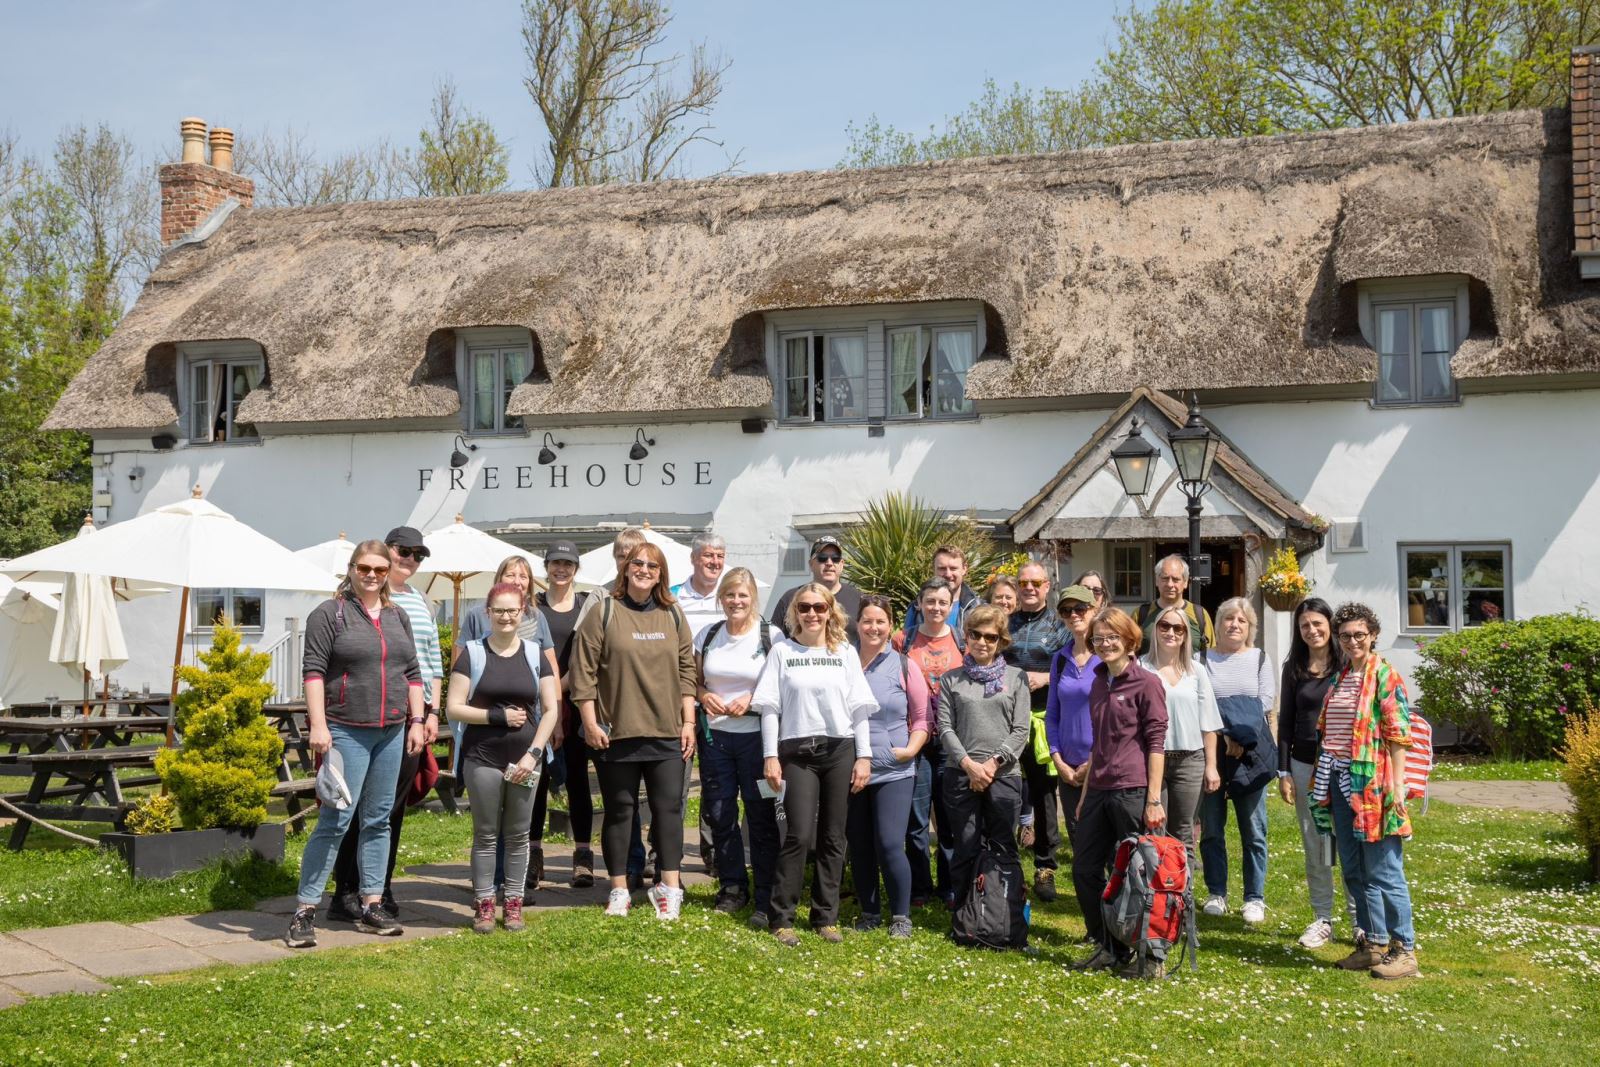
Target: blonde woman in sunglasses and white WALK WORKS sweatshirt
{"x":815,"y":703}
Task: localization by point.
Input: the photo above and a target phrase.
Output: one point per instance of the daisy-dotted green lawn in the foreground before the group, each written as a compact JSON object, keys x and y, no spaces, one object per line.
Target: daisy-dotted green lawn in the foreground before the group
{"x":1505,"y":921}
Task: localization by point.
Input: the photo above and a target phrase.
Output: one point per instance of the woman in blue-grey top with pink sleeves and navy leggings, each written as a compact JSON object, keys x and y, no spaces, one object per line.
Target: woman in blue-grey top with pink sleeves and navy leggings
{"x":876,"y":823}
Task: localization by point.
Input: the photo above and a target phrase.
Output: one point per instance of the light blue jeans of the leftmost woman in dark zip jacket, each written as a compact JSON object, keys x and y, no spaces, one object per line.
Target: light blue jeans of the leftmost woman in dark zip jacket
{"x":372,"y":764}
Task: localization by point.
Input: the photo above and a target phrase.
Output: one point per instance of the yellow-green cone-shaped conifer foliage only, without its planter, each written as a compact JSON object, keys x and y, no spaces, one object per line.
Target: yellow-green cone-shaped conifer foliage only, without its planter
{"x":228,"y":764}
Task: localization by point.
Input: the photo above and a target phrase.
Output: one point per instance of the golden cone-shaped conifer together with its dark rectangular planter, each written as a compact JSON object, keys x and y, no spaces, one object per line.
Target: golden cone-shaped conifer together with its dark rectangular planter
{"x":220,"y":780}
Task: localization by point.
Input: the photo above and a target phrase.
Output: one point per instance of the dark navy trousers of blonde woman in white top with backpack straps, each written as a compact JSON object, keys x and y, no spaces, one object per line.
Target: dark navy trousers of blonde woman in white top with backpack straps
{"x":730,"y":769}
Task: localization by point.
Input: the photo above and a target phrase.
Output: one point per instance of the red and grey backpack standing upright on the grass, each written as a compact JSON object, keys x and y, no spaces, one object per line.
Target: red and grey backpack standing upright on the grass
{"x":1150,"y":901}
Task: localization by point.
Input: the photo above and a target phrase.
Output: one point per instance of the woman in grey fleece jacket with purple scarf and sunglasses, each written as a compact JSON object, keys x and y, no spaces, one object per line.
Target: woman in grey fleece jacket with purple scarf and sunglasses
{"x":983,"y":727}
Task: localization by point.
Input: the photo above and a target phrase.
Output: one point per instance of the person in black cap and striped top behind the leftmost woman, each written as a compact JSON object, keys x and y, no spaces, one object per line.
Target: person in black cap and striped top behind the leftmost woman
{"x":407,"y":553}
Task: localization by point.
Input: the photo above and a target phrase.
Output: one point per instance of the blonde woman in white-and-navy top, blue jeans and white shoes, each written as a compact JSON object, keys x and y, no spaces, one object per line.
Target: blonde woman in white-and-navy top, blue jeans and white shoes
{"x":1246,"y":690}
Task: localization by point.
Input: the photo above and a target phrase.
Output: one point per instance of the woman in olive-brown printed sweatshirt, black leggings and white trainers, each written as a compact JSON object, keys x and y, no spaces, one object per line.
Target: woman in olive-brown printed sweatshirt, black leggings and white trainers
{"x":634,"y":682}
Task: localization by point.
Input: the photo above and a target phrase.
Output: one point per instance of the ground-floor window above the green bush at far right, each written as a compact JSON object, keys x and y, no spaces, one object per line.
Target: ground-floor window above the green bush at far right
{"x":1454,"y":586}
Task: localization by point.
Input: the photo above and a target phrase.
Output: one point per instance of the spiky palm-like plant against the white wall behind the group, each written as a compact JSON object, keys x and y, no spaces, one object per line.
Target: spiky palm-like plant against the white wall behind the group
{"x":890,"y":551}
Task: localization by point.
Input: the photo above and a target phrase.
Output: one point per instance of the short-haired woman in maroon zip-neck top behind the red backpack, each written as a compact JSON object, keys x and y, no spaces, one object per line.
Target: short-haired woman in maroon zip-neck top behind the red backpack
{"x":1124,"y":789}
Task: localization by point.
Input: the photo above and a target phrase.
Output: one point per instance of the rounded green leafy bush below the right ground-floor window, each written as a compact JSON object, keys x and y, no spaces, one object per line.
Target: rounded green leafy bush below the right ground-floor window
{"x":1513,"y":685}
